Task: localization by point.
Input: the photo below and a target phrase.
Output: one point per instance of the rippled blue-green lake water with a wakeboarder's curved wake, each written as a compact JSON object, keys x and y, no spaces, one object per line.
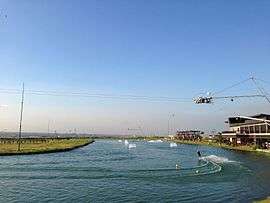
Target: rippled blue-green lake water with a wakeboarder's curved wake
{"x":107,"y":171}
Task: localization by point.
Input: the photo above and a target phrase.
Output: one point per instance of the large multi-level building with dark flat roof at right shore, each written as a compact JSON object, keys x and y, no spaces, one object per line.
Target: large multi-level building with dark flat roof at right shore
{"x":249,"y":130}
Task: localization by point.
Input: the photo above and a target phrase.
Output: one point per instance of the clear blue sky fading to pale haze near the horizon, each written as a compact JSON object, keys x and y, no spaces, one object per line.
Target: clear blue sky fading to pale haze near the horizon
{"x":155,"y":48}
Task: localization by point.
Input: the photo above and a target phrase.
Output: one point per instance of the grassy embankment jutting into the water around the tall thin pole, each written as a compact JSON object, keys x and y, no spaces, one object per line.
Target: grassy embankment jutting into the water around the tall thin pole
{"x":9,"y":146}
